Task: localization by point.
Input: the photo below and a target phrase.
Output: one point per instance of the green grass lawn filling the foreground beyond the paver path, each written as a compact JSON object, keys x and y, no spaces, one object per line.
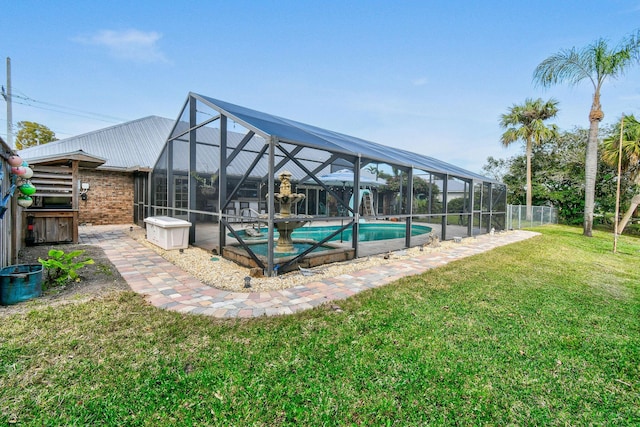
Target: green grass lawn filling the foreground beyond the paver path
{"x":543,"y":332}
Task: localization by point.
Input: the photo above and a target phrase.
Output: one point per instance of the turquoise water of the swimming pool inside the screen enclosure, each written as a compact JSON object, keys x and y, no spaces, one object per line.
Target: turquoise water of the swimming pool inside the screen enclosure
{"x":367,"y":232}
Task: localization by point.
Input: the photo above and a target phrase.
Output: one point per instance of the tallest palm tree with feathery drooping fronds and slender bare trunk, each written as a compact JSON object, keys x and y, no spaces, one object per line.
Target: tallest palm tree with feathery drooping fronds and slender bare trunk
{"x":596,"y":63}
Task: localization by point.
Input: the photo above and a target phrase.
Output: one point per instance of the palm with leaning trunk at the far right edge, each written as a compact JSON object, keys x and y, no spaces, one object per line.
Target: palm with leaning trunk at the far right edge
{"x":630,"y":160}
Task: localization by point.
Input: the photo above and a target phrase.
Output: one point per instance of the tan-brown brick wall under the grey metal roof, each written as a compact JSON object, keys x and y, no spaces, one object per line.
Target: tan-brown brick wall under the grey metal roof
{"x":109,"y":199}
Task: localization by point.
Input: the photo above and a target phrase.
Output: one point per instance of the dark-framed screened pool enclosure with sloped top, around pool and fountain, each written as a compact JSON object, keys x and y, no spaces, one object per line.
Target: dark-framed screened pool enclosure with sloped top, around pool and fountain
{"x":219,"y":170}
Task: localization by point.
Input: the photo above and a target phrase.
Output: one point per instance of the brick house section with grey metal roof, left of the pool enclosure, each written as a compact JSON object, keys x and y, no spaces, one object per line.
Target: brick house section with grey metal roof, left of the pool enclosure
{"x":110,"y":176}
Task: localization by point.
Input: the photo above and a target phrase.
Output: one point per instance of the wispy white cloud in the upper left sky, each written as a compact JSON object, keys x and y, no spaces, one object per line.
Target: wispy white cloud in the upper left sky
{"x":135,"y":45}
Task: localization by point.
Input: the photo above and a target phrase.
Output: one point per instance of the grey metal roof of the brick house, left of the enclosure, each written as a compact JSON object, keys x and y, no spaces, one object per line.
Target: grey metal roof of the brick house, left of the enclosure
{"x":133,"y":145}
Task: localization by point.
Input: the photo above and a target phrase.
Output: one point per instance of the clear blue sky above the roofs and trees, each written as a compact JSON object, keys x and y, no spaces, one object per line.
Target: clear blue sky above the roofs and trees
{"x":429,"y":76}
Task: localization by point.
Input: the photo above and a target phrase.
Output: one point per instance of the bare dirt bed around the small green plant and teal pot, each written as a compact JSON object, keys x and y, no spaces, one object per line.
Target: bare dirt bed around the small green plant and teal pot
{"x":96,"y":279}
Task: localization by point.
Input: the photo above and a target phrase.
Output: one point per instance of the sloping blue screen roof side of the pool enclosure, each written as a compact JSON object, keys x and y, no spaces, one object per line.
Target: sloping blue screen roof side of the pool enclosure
{"x":298,"y":133}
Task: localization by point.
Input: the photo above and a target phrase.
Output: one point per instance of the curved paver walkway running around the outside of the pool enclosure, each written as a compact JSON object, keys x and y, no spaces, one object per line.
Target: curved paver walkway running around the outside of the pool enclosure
{"x":166,"y":286}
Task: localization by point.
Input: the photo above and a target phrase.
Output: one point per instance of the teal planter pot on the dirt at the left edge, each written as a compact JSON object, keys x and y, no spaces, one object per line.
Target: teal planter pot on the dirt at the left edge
{"x":20,"y":283}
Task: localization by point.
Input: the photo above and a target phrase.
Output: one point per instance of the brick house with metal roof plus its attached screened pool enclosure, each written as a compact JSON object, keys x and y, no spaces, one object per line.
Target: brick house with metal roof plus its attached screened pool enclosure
{"x":217,"y":165}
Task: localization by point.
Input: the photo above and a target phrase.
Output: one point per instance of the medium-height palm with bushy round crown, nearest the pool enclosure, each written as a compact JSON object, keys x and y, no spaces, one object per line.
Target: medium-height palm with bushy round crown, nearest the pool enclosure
{"x":526,"y":123}
